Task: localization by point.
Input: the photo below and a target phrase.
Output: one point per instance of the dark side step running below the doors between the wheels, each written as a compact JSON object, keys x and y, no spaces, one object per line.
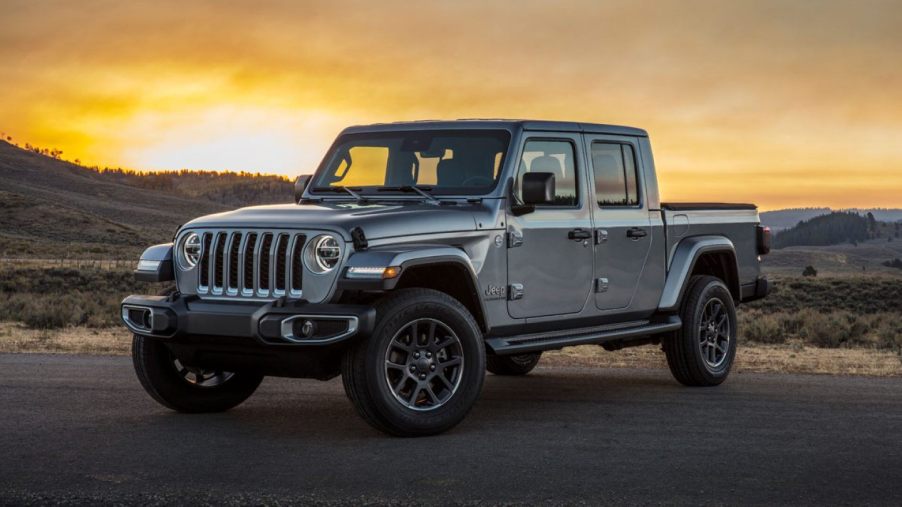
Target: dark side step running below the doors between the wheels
{"x":535,"y":342}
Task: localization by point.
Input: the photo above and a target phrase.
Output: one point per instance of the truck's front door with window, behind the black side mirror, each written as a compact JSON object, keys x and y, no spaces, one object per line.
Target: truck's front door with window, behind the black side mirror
{"x":550,"y":249}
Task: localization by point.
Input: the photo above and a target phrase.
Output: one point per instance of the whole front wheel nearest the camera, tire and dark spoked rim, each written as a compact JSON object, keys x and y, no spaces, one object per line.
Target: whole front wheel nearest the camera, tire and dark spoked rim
{"x":422,"y":369}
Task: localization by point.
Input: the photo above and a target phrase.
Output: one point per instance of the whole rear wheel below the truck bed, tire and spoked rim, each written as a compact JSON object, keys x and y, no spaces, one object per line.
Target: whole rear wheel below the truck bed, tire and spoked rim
{"x":701,"y":353}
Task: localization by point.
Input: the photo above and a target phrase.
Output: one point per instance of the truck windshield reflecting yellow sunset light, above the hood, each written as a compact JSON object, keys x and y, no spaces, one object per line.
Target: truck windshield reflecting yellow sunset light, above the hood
{"x":440,"y":162}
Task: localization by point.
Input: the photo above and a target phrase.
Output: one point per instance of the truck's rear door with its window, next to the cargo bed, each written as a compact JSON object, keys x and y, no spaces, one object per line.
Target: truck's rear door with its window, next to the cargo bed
{"x":623,"y":232}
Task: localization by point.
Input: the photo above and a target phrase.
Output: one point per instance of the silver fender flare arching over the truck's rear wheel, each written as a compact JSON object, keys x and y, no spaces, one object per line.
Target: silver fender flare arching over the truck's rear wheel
{"x":683,"y":260}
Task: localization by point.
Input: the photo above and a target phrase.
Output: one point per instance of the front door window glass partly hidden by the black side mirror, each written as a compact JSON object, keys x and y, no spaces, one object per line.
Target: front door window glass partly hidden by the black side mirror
{"x":554,"y":157}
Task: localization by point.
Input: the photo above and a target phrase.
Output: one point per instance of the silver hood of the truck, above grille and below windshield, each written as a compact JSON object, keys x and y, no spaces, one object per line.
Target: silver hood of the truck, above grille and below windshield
{"x":378,"y":220}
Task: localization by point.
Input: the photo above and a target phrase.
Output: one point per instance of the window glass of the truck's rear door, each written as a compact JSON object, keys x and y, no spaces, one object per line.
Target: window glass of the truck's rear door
{"x":614,"y":165}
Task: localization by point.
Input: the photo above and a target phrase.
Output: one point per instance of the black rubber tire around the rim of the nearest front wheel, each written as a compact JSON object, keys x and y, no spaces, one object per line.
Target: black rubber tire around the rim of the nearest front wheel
{"x":363,"y":365}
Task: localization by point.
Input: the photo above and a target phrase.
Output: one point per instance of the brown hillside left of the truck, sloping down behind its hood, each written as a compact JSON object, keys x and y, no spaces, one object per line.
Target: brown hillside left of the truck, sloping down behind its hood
{"x":50,"y":208}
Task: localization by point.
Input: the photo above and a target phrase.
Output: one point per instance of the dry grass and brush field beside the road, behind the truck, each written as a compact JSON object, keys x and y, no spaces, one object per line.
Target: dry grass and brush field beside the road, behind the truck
{"x":837,"y":324}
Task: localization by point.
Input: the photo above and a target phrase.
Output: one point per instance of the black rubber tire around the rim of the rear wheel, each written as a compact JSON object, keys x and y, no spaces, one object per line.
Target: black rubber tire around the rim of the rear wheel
{"x":684,"y":356}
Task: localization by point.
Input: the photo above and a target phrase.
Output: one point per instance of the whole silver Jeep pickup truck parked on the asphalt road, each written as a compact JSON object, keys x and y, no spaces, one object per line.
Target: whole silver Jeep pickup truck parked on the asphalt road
{"x":421,"y":254}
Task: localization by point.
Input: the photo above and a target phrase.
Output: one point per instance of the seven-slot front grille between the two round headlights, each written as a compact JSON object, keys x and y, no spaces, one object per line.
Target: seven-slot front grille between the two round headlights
{"x":251,"y":263}
